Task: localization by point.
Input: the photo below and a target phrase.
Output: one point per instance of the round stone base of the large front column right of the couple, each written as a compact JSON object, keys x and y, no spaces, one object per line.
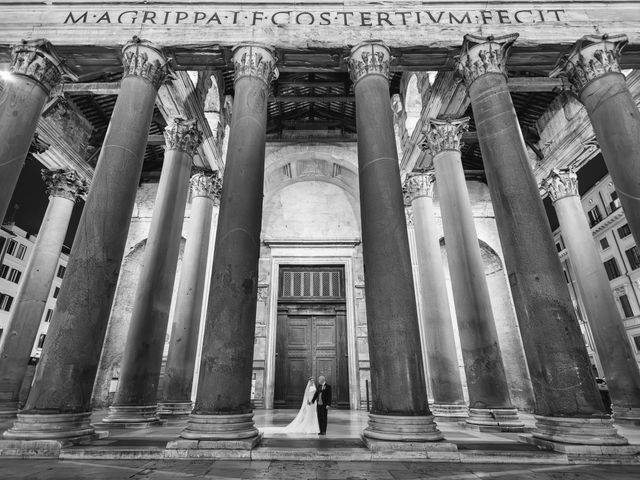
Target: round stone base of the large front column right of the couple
{"x":395,"y":428}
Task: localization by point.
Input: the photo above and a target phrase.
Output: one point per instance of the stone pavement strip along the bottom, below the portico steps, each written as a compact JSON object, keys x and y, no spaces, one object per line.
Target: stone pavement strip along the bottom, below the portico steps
{"x":183,"y":469}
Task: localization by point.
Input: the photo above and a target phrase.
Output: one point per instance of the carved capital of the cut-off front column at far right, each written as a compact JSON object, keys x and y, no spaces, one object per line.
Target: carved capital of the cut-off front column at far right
{"x":591,"y":57}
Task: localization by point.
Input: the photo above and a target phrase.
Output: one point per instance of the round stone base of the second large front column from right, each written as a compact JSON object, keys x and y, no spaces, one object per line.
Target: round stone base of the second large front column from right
{"x":578,"y":431}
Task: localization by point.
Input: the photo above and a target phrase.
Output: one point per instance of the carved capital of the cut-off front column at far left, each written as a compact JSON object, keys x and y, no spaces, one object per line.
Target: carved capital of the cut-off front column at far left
{"x":38,"y":60}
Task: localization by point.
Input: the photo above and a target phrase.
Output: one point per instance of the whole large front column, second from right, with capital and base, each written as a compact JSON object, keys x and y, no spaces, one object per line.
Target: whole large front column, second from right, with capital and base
{"x":568,"y":406}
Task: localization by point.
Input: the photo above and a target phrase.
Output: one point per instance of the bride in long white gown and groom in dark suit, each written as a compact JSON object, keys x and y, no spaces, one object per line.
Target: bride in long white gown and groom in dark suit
{"x":310,"y":419}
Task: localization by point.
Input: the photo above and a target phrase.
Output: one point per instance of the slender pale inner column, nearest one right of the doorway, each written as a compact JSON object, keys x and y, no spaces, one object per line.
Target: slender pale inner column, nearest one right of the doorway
{"x":446,"y":384}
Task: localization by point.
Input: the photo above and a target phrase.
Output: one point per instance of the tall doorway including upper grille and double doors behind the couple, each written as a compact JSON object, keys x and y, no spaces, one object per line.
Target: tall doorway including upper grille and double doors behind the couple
{"x":311,"y":333}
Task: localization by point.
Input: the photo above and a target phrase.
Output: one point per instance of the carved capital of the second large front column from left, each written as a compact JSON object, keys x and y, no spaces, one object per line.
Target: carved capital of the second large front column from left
{"x":143,"y":59}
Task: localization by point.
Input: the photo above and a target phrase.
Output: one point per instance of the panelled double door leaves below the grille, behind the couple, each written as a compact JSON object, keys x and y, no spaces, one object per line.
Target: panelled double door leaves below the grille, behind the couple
{"x":311,"y":341}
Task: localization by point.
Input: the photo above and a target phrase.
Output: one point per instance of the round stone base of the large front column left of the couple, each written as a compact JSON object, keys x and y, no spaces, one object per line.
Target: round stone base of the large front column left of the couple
{"x":221,"y":428}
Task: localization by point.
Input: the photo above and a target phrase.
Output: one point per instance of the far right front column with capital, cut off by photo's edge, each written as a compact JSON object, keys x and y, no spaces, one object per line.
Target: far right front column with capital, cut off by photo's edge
{"x":594,"y":72}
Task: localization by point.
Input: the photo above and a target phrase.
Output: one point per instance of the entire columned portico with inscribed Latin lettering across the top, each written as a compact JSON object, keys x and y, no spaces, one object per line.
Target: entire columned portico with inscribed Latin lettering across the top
{"x":385,"y":229}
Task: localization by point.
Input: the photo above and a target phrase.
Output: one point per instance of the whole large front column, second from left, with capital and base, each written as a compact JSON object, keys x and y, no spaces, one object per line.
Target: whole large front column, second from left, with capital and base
{"x":58,"y":406}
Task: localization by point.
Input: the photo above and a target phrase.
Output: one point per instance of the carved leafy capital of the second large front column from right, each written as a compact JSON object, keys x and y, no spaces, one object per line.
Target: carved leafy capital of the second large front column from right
{"x":481,"y":55}
